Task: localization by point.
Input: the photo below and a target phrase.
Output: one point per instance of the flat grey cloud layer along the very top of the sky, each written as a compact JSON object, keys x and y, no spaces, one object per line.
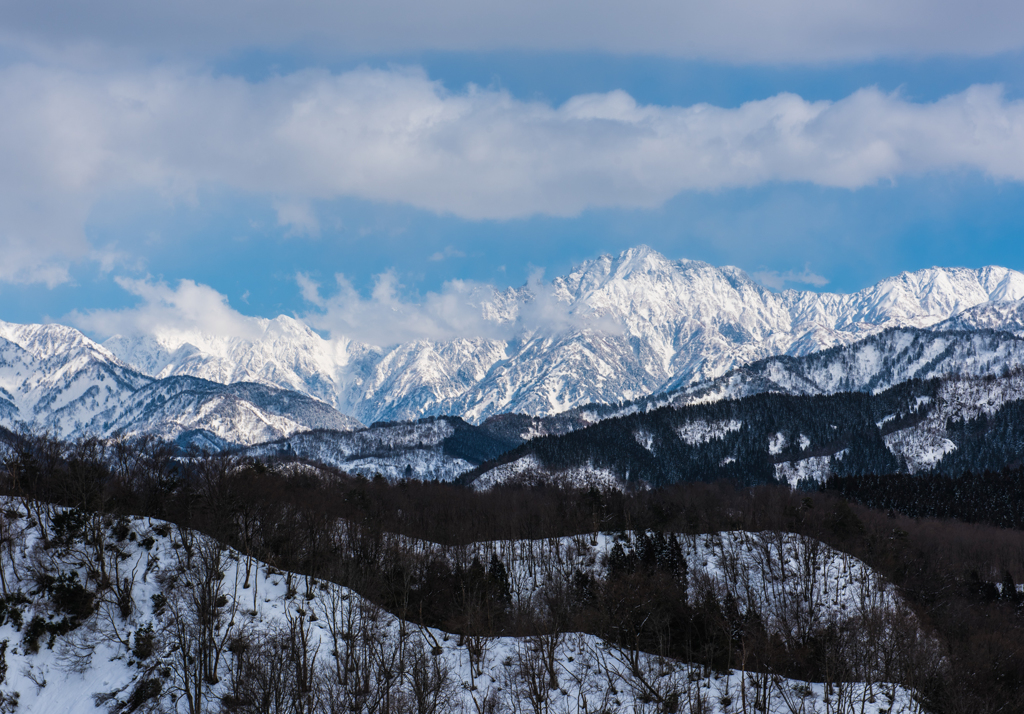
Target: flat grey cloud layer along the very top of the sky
{"x":735,"y":31}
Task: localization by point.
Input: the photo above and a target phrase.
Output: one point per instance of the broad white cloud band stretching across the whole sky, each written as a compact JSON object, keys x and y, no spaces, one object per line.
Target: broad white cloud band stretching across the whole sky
{"x":70,"y":139}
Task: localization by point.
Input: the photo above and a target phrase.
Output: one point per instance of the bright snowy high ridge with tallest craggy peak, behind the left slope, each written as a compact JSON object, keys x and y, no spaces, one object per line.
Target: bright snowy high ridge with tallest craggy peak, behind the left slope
{"x":615,"y":329}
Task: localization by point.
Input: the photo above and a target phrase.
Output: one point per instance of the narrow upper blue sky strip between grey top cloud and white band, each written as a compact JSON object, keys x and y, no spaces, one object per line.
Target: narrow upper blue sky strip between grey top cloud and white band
{"x":556,"y":77}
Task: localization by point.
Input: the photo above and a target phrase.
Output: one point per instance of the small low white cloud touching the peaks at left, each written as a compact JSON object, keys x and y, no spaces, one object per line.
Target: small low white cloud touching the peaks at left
{"x":172,"y":313}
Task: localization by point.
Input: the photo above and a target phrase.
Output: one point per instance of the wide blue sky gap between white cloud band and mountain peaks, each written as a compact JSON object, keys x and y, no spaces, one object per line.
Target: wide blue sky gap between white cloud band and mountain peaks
{"x":235,"y":244}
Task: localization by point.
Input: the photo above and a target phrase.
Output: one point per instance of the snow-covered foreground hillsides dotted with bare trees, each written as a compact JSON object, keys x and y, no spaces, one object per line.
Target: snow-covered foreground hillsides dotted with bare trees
{"x":144,"y":646}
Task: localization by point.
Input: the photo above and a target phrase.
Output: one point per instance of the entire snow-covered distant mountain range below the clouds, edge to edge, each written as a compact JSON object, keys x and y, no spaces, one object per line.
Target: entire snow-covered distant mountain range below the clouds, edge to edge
{"x":631,"y":333}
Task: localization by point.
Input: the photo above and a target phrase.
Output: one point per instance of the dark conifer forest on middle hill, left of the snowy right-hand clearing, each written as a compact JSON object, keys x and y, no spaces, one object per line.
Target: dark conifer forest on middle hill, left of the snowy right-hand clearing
{"x":832,"y":425}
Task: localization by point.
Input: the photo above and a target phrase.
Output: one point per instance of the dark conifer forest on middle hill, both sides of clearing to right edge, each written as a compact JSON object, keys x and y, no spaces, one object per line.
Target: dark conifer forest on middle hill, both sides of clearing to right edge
{"x":849,"y":429}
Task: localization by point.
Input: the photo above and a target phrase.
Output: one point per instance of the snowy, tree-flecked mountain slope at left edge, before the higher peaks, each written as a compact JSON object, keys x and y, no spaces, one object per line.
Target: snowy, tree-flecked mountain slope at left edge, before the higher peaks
{"x":54,"y":379}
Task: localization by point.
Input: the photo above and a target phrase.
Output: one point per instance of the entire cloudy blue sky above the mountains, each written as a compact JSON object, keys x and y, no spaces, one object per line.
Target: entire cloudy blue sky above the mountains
{"x":156,"y":149}
